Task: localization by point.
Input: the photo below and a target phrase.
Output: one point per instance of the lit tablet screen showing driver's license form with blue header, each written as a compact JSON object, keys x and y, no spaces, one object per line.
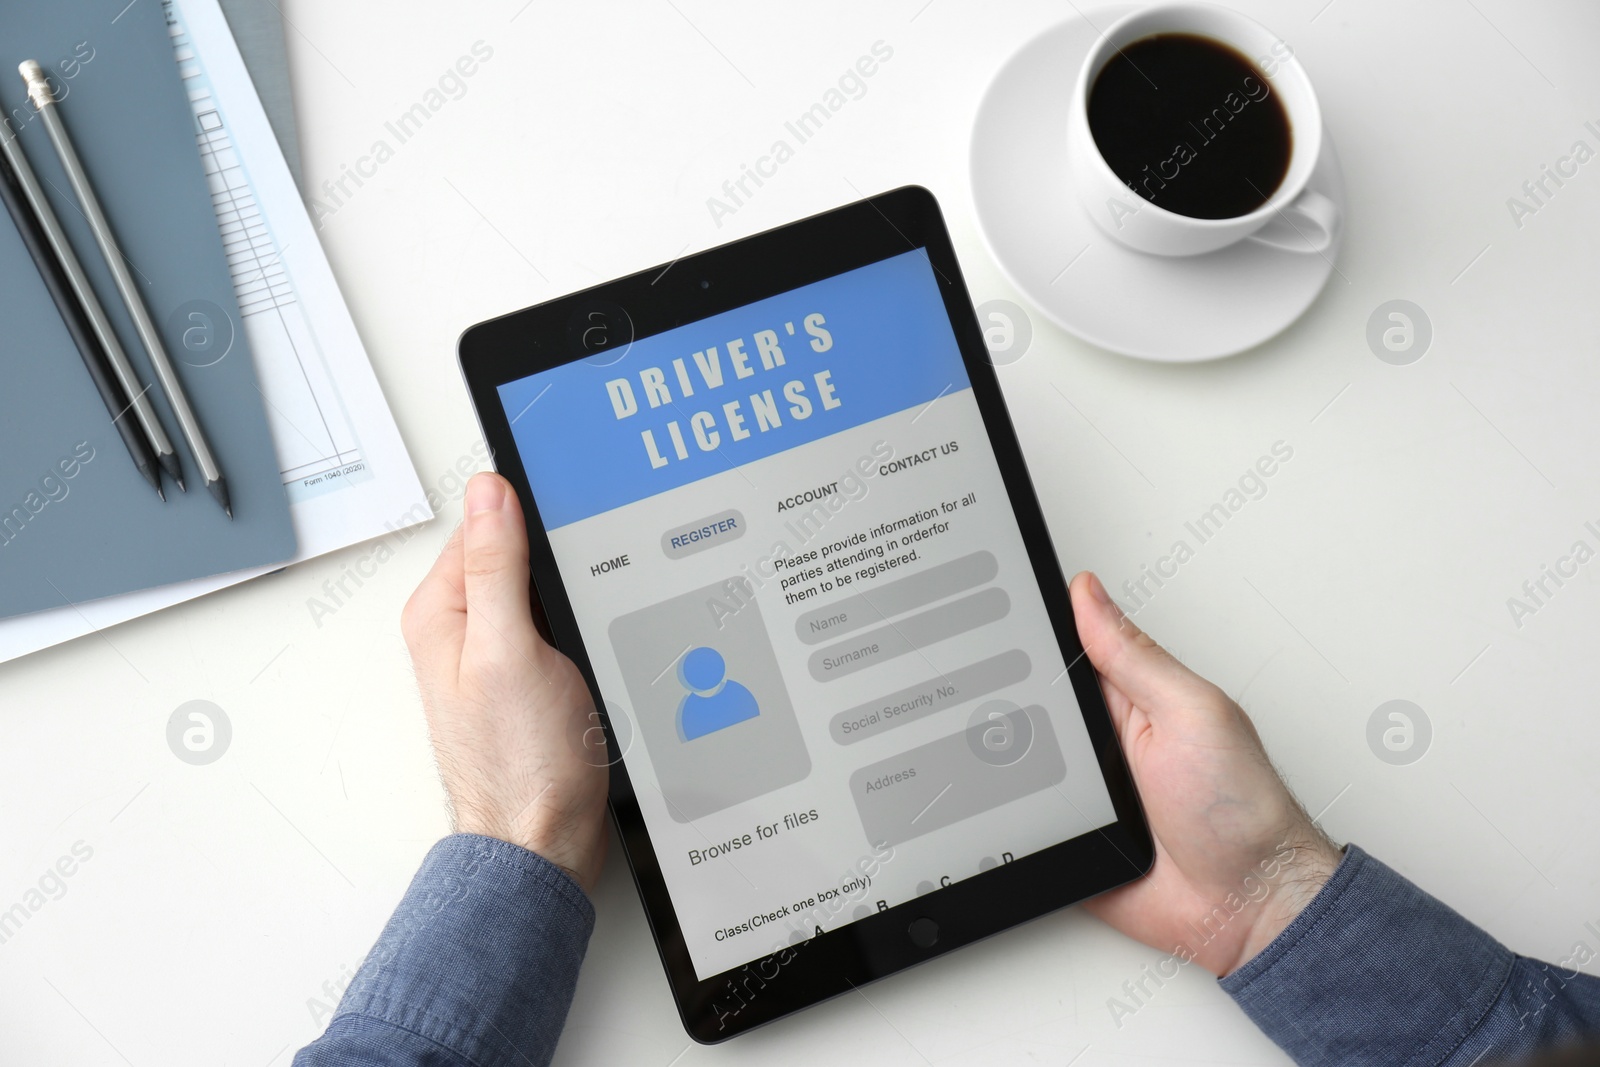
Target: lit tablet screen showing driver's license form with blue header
{"x":809,"y":609}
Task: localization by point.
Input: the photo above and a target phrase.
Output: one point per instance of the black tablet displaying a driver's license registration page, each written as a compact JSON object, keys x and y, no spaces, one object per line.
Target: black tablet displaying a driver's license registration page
{"x":780,"y":521}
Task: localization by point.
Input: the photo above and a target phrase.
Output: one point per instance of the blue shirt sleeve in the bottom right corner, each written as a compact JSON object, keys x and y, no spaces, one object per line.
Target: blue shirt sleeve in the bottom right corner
{"x":1377,"y":972}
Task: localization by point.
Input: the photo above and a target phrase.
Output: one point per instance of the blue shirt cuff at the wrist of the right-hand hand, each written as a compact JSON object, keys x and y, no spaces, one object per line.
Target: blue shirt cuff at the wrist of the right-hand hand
{"x":1375,"y":970}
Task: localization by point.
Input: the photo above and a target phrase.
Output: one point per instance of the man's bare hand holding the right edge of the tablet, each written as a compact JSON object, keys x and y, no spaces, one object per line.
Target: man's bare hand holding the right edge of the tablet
{"x":1236,"y":855}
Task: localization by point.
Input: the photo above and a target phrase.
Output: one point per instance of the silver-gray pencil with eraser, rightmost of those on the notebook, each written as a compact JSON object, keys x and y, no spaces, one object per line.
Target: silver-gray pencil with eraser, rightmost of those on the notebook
{"x":44,"y":100}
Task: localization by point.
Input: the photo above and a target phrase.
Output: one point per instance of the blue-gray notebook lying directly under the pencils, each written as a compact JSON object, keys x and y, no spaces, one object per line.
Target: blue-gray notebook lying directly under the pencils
{"x":78,"y":522}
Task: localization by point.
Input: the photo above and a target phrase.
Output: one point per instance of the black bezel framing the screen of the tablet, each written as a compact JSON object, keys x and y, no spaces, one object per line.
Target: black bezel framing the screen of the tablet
{"x":694,"y":289}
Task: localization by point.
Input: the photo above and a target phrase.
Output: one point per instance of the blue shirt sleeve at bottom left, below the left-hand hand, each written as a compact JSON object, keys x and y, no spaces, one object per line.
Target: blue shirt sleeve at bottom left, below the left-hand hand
{"x":476,"y":969}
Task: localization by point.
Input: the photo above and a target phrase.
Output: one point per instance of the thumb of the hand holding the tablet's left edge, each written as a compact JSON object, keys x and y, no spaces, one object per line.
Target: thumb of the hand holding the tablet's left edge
{"x":495,"y":567}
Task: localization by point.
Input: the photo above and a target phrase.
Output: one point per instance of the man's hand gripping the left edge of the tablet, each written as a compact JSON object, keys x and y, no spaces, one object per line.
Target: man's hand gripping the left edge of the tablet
{"x":513,"y":722}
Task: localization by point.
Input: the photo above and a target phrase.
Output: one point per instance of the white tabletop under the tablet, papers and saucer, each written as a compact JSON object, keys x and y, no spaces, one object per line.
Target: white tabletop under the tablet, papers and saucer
{"x":220,"y":900}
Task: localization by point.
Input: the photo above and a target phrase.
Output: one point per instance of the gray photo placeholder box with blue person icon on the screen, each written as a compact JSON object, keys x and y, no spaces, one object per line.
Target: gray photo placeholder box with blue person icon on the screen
{"x":710,"y":700}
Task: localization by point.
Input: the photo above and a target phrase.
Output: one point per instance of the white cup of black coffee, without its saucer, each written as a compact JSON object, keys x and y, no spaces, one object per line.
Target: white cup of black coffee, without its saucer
{"x":1289,"y":217}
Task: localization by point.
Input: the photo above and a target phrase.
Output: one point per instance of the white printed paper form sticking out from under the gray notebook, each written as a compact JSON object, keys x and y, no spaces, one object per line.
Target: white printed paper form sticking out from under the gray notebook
{"x":345,"y":466}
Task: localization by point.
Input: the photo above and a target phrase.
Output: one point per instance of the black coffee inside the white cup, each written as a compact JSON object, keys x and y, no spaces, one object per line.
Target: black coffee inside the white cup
{"x":1191,"y":126}
